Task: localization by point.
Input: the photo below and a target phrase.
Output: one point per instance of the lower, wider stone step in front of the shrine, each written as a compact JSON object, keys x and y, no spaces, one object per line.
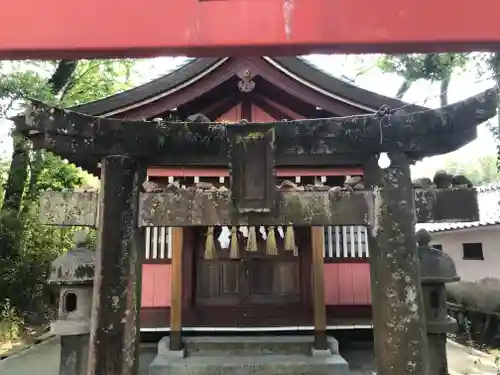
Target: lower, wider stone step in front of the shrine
{"x":275,"y":364}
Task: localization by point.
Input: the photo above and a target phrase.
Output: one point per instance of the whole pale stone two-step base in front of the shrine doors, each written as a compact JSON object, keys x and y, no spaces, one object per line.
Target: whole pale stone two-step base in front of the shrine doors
{"x":288,"y":355}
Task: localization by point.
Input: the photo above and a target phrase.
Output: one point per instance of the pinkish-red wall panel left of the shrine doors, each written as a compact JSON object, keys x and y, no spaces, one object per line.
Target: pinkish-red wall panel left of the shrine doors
{"x":155,"y":285}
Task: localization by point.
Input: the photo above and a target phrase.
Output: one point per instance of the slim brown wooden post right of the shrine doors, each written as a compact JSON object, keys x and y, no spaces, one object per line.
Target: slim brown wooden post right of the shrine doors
{"x":318,"y":288}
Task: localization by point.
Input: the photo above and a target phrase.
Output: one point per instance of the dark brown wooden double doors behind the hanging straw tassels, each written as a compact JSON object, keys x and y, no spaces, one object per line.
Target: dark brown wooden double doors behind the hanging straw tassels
{"x":255,"y":278}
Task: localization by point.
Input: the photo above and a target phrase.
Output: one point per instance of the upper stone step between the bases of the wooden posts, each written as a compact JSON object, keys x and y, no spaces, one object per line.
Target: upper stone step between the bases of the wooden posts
{"x":247,"y":345}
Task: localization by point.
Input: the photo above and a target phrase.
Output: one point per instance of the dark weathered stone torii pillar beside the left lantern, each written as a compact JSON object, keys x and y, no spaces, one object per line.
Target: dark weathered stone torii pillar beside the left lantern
{"x":114,"y":337}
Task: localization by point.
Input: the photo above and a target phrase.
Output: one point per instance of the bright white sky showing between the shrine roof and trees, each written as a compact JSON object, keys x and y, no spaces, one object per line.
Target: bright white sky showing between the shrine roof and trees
{"x":463,"y":85}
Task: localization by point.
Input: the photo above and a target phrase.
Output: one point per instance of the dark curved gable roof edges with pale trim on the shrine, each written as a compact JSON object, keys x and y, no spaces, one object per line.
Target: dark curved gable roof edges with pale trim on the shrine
{"x":294,"y":67}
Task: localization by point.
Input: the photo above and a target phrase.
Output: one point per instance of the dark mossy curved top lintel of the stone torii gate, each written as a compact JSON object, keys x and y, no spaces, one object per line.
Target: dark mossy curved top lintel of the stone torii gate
{"x":419,"y":134}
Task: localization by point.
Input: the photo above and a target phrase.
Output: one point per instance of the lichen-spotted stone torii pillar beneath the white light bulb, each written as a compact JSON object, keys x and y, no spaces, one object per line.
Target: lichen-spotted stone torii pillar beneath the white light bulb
{"x":398,"y":316}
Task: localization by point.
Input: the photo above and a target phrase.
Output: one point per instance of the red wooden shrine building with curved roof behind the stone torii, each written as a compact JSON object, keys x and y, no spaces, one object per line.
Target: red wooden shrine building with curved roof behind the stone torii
{"x":257,"y":290}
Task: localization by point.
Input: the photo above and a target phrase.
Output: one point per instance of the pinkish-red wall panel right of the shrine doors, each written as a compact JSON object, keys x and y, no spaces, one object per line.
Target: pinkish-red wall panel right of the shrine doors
{"x":347,"y":284}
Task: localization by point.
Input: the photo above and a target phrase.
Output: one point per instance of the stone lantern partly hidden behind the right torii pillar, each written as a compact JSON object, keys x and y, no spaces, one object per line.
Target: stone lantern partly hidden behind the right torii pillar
{"x":436,"y":269}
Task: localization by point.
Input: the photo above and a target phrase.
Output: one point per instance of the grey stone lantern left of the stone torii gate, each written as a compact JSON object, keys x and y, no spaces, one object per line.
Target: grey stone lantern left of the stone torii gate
{"x":73,"y":273}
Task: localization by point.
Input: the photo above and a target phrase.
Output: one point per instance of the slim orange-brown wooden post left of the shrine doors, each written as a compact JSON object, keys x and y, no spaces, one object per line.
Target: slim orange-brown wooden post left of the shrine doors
{"x":176,"y":291}
